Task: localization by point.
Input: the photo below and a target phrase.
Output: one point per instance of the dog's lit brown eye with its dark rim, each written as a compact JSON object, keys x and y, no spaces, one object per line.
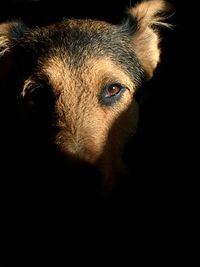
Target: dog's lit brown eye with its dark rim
{"x":111,"y":93}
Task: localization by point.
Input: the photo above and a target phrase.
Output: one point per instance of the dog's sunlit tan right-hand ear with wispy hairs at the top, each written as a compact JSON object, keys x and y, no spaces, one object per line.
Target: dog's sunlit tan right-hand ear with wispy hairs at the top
{"x":141,"y":23}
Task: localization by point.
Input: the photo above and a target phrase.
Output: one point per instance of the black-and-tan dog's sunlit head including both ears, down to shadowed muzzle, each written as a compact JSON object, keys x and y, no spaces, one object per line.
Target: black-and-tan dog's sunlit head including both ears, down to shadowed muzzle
{"x":81,"y":77}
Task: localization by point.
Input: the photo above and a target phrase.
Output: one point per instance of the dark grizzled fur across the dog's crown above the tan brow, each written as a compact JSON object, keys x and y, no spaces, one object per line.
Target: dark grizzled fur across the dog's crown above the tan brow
{"x":77,"y":41}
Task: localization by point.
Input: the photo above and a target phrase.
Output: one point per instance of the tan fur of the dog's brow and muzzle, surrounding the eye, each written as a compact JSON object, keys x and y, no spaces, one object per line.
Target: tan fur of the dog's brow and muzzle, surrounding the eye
{"x":84,"y":124}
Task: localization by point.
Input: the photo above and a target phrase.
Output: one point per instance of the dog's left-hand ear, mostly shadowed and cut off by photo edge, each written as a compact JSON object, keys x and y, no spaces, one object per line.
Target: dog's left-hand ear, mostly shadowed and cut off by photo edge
{"x":10,"y":33}
